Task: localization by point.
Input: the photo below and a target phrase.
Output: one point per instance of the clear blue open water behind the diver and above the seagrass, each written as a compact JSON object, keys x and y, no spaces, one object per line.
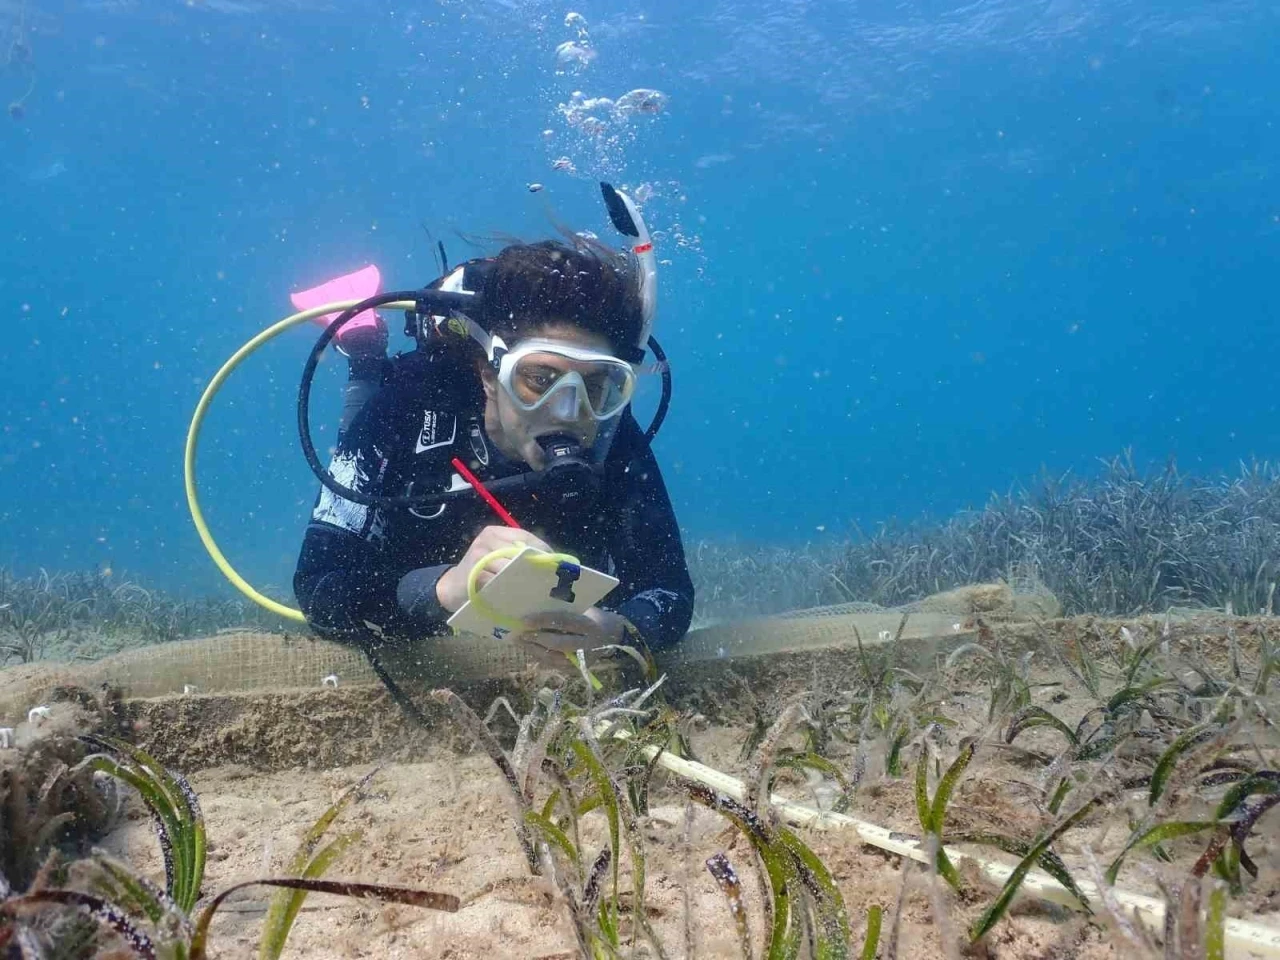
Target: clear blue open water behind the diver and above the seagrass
{"x":918,"y":252}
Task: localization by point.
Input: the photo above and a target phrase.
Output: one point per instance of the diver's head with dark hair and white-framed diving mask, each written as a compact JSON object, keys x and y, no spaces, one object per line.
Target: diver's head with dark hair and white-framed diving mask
{"x":564,"y":321}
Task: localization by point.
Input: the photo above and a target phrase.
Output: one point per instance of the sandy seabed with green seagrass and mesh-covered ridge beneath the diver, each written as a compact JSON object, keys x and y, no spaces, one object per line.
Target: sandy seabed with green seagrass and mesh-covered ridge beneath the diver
{"x":916,"y":769}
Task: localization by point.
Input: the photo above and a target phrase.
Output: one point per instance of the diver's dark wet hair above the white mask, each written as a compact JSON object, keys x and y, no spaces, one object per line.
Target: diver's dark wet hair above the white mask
{"x":583,"y":282}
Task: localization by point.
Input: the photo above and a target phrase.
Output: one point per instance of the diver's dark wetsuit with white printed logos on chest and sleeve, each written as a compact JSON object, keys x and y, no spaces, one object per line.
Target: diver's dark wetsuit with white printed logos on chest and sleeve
{"x":381,"y":565}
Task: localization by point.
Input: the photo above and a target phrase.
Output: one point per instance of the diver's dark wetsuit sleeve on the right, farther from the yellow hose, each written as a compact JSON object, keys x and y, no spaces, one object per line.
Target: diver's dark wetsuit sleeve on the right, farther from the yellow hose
{"x":655,"y":592}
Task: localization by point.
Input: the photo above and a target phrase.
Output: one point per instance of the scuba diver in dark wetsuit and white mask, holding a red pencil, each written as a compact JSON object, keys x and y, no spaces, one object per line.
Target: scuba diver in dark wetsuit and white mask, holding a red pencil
{"x":527,"y":390}
